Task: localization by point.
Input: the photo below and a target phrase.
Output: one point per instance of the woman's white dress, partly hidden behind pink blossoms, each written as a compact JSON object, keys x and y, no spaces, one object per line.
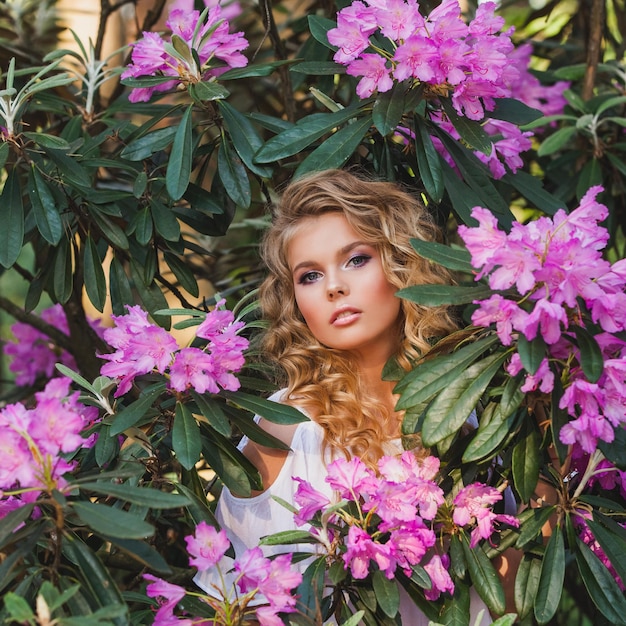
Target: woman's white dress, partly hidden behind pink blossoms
{"x":247,"y":520}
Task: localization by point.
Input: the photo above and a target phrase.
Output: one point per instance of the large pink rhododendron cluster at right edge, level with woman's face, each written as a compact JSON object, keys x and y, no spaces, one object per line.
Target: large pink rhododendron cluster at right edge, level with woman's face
{"x":553,"y":283}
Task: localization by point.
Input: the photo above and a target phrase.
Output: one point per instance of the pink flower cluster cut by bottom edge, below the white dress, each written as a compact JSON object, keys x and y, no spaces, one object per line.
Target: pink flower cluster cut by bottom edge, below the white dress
{"x":256,"y":578}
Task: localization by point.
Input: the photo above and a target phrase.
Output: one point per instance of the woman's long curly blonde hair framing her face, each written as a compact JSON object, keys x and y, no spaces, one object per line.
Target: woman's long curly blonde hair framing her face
{"x":322,"y":380}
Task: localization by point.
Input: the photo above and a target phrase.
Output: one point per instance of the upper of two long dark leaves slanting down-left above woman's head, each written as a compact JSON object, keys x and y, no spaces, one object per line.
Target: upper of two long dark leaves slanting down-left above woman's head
{"x":304,"y":133}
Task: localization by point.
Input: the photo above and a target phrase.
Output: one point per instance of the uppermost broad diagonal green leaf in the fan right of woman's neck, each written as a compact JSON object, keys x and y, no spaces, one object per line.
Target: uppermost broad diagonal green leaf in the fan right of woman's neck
{"x":433,"y":375}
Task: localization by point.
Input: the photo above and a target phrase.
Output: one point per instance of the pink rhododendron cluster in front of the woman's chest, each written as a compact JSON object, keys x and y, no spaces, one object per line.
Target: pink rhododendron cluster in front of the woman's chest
{"x":401,"y":509}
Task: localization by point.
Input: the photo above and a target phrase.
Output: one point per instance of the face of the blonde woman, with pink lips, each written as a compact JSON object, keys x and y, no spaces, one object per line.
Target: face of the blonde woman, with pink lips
{"x":341,"y":288}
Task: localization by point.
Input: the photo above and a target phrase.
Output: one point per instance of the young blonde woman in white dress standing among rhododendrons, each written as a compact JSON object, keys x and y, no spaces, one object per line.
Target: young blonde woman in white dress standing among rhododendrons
{"x":337,"y":252}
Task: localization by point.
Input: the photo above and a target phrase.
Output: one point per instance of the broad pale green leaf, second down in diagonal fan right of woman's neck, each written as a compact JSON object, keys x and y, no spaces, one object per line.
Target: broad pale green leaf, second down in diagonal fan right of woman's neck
{"x":450,"y":409}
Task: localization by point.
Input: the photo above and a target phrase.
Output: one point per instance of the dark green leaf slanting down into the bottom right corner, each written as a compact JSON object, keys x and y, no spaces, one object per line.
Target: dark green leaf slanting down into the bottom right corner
{"x":600,"y":584}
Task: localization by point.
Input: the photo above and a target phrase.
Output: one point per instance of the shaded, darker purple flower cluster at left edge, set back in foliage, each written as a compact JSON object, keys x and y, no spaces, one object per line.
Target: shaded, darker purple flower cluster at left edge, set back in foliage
{"x":33,"y":354}
